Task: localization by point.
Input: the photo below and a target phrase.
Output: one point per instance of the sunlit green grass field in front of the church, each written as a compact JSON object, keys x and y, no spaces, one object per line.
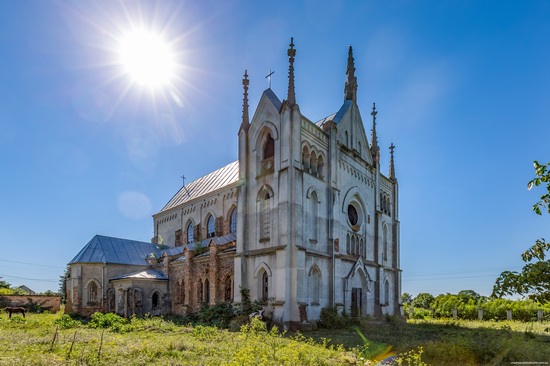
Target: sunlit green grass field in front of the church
{"x":154,"y":341}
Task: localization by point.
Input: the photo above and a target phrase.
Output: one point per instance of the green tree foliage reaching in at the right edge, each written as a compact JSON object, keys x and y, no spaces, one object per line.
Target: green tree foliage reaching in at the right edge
{"x":534,"y":279}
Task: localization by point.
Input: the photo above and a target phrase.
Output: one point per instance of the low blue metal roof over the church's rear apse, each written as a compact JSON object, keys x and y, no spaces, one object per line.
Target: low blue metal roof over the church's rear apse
{"x":105,"y":249}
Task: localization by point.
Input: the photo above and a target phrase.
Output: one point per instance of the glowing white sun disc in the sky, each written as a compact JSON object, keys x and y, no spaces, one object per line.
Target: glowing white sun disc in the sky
{"x":147,"y":58}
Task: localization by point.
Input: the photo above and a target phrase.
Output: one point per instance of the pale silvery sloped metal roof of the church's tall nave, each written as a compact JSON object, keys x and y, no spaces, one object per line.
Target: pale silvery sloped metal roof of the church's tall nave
{"x":204,"y":185}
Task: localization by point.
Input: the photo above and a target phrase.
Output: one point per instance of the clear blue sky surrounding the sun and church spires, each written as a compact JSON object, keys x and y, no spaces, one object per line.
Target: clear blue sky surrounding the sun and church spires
{"x":461,"y":88}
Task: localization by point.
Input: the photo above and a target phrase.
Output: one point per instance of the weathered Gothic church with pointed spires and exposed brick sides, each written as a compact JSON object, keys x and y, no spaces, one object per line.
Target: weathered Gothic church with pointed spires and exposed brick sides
{"x":305,"y":219}
